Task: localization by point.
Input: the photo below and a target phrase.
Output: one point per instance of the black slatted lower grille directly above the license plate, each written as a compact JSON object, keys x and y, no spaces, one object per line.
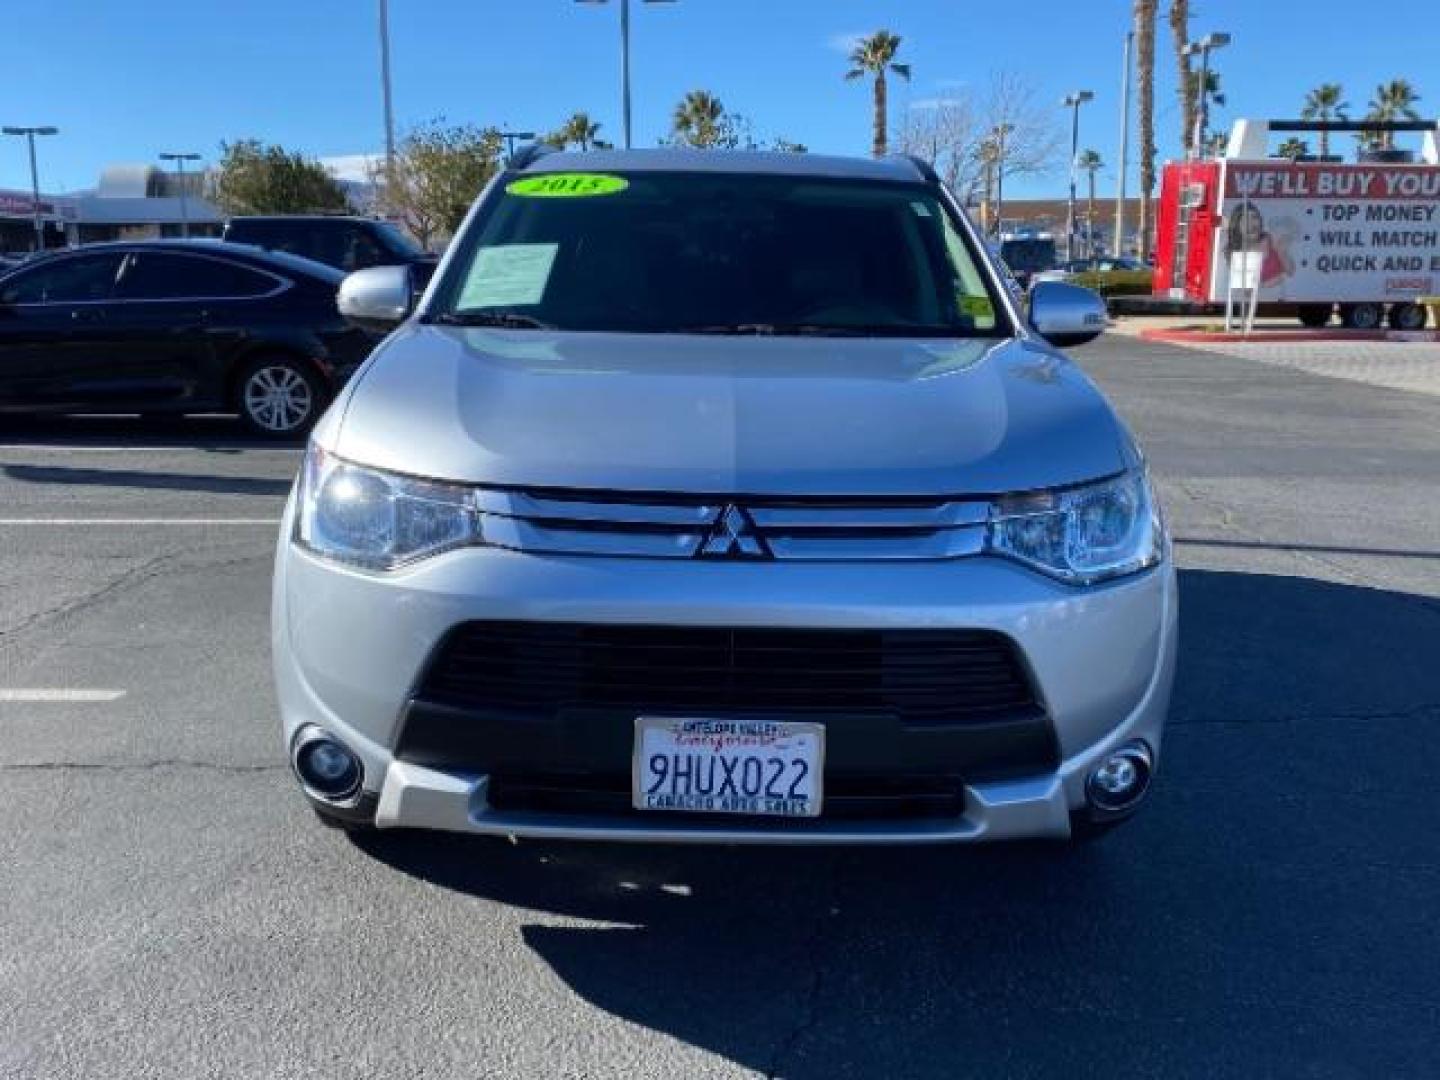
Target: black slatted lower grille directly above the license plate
{"x":918,"y":676}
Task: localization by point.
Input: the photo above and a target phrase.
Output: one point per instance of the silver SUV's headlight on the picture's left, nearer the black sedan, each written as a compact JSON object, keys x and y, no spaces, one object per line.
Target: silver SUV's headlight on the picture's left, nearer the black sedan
{"x":379,"y":521}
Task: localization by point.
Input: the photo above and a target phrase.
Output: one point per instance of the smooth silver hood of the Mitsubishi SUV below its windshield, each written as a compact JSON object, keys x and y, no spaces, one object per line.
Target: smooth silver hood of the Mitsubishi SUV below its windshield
{"x":726,"y":415}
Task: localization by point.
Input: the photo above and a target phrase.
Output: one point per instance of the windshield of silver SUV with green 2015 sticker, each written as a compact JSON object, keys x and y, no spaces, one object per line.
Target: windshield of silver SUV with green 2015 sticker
{"x":675,"y":253}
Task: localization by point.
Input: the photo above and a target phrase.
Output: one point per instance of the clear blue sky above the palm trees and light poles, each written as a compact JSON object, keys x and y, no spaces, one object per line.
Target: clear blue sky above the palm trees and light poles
{"x":126,"y":81}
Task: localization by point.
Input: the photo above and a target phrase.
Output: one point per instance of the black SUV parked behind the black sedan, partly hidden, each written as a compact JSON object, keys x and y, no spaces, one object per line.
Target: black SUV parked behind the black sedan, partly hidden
{"x":348,"y":244}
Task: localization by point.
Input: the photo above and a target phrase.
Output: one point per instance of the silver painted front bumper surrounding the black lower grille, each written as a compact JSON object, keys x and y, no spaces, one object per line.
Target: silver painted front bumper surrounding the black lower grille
{"x":349,"y":649}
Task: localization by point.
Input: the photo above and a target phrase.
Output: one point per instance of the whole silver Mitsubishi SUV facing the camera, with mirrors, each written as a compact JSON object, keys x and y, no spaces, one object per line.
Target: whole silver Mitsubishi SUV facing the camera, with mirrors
{"x":724,"y":498}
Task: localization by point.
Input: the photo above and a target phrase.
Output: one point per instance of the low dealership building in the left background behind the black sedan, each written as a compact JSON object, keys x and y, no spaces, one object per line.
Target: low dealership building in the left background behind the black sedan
{"x":130,"y":202}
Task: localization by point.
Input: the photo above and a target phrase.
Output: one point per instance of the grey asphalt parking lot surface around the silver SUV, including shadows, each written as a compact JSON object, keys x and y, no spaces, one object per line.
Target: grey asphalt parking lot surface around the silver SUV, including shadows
{"x":171,"y":909}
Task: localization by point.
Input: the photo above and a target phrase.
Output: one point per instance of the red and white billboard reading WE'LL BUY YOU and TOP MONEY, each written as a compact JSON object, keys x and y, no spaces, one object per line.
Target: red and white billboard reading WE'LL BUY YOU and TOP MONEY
{"x":1330,"y":233}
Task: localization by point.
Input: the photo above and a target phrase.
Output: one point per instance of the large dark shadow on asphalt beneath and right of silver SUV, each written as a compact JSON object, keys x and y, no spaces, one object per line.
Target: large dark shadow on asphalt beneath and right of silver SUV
{"x":1269,"y":912}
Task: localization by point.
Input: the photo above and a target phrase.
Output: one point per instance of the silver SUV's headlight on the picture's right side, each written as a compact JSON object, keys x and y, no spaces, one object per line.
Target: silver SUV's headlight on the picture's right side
{"x":1082,"y":535}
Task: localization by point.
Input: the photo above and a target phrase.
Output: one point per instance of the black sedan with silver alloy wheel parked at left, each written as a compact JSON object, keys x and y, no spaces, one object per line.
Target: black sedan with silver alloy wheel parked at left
{"x":176,"y":328}
